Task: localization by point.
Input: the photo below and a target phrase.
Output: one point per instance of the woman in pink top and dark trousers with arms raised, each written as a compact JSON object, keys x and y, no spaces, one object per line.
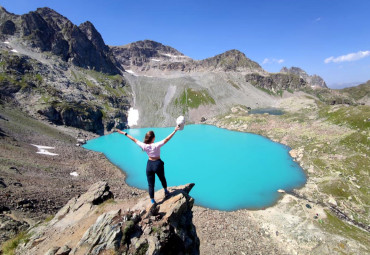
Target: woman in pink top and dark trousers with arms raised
{"x":155,"y":165}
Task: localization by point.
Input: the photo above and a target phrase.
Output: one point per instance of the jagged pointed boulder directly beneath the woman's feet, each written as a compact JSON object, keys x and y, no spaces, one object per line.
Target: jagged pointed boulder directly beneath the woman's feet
{"x":165,"y":228}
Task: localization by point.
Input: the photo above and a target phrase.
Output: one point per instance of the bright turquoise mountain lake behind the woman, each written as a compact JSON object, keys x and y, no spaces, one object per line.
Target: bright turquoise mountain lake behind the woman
{"x":231,"y":170}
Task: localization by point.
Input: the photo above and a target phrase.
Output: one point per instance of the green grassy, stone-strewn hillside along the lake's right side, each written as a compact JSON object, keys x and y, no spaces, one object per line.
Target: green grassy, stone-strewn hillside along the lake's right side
{"x":335,"y":148}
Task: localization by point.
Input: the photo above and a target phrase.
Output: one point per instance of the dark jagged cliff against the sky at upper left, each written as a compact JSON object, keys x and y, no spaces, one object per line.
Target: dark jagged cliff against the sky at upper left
{"x":48,"y":31}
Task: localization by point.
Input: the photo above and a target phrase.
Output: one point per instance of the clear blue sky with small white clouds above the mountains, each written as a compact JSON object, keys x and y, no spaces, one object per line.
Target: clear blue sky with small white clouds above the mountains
{"x":330,"y":38}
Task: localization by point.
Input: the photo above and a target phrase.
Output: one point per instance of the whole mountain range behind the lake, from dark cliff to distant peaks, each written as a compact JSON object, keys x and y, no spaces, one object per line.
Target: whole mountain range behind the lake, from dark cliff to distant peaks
{"x":67,"y":74}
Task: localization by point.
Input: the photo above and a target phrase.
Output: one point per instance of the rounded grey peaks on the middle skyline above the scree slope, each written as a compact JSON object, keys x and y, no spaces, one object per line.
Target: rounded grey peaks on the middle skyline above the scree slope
{"x":153,"y":55}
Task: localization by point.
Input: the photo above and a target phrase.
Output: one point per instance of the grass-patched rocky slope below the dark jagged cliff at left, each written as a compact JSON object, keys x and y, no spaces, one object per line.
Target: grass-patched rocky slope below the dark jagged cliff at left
{"x":63,"y":100}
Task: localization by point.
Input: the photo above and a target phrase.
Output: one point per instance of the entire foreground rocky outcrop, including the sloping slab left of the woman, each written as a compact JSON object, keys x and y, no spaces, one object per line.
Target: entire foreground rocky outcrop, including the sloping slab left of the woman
{"x":163,"y":228}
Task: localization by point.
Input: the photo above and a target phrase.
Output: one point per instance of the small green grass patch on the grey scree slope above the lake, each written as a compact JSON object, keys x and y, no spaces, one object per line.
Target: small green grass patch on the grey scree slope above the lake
{"x":193,"y":99}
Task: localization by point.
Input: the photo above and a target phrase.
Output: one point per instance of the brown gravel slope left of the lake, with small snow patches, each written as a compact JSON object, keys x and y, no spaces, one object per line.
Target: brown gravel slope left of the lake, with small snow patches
{"x":36,"y":185}
